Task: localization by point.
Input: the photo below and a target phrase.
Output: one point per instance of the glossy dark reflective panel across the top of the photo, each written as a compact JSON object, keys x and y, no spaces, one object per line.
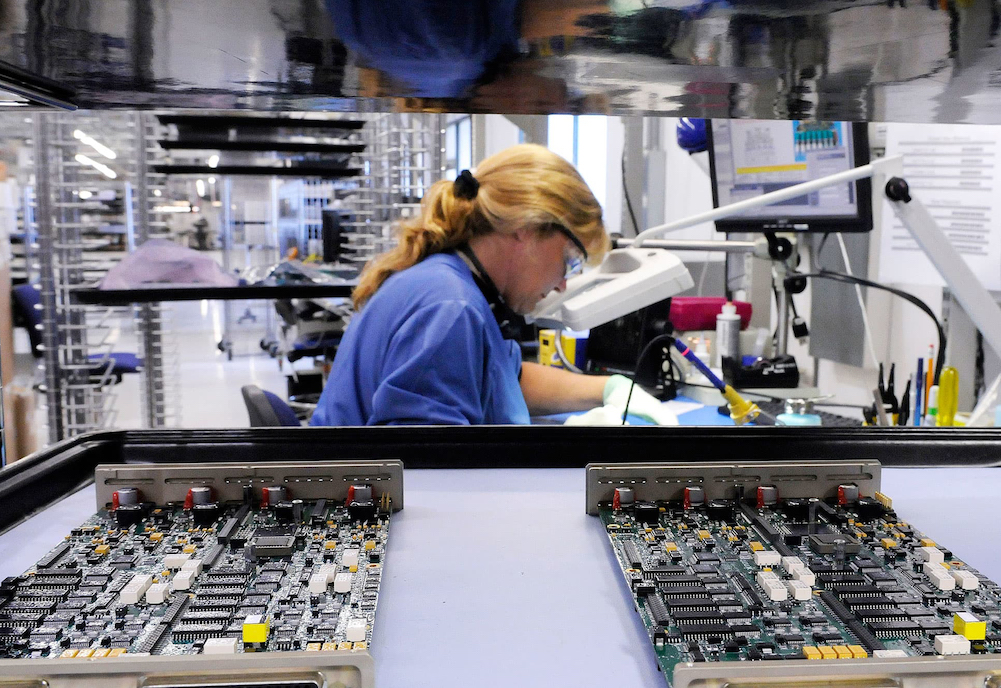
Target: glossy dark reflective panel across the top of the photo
{"x":895,"y":61}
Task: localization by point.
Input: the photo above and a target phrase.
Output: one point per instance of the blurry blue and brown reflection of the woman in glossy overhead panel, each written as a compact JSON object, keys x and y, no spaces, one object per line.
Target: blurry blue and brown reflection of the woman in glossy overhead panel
{"x":443,"y":50}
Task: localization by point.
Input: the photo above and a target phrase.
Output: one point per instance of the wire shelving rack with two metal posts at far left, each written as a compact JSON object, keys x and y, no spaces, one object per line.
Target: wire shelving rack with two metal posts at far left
{"x":79,"y":339}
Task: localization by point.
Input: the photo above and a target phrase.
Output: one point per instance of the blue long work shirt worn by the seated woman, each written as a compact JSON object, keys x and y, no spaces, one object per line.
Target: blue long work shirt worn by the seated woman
{"x":426,"y":349}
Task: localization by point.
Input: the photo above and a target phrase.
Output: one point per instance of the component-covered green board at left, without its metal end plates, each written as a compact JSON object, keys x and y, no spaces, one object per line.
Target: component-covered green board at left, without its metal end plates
{"x":214,"y":578}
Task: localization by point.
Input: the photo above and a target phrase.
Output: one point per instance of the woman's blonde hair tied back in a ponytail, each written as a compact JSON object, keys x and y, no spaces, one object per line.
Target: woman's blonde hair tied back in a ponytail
{"x":525,"y":186}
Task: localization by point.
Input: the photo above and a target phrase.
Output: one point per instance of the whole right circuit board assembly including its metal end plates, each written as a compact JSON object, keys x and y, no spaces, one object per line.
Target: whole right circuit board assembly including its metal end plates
{"x":792,"y":573}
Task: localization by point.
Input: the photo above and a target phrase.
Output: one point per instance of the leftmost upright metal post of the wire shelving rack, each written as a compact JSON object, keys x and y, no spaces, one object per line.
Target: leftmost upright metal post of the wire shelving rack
{"x":48,"y":271}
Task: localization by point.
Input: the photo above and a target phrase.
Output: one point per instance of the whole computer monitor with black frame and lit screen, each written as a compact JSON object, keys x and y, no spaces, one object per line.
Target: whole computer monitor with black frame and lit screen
{"x":749,"y":159}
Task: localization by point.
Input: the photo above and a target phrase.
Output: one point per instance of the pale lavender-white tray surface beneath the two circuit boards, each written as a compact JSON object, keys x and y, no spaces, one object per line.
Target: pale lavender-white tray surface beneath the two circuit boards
{"x":499,"y":578}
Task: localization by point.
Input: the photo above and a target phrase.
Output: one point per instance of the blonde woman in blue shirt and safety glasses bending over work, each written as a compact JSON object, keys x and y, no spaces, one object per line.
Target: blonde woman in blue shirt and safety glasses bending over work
{"x":428,"y":345}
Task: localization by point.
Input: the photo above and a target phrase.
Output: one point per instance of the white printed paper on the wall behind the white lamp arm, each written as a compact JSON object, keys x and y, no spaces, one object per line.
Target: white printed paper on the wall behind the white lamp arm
{"x":956,"y":173}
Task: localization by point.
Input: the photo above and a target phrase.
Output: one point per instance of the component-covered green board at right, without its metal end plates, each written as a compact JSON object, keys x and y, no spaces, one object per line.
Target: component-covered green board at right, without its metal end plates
{"x":762,"y":576}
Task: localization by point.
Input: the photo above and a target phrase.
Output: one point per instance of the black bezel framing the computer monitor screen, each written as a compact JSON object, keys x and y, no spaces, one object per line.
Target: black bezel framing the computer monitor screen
{"x":863,"y":223}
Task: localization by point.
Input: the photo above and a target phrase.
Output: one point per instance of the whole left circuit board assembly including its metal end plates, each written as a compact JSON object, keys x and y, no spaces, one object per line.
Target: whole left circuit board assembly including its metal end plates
{"x":210,"y":576}
